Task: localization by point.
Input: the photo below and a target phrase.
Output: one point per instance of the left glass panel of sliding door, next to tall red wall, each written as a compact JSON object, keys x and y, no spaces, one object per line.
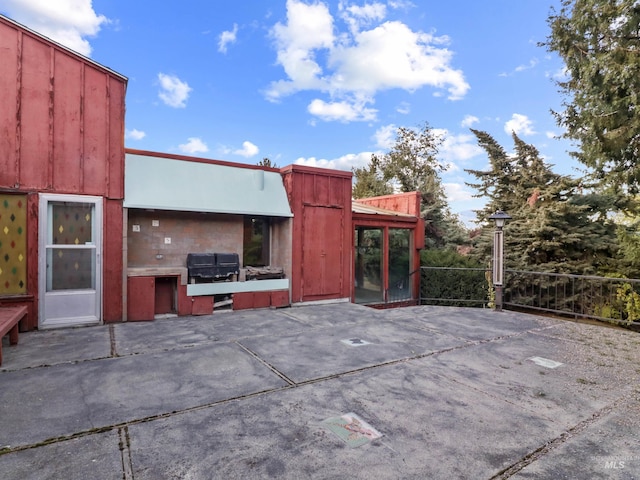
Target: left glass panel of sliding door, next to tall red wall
{"x":369,"y":278}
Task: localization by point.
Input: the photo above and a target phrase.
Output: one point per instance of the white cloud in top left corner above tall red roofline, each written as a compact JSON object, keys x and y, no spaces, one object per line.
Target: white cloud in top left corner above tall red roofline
{"x":67,"y":22}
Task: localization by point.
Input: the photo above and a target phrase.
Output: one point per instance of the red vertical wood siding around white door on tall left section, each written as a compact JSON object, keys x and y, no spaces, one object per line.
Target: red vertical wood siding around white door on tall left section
{"x":62,"y":131}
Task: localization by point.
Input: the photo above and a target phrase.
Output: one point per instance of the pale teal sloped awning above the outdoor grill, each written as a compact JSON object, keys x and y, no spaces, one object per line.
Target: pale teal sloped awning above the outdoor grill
{"x":172,"y":184}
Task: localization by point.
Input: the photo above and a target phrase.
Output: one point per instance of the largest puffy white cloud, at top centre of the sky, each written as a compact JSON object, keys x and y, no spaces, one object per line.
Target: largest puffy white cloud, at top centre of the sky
{"x":359,"y":63}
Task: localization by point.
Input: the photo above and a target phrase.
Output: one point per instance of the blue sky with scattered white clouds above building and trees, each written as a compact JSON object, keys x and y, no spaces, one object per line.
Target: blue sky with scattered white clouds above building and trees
{"x":322,"y":83}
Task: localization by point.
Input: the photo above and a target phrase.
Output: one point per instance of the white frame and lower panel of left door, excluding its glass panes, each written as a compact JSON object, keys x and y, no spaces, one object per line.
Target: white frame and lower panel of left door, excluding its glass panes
{"x":84,"y":306}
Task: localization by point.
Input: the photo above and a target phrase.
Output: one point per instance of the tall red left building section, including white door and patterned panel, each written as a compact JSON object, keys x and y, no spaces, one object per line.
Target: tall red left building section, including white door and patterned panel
{"x":61,"y":182}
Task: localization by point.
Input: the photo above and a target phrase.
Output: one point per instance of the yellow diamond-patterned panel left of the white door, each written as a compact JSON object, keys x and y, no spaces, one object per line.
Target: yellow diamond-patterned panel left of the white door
{"x":13,"y":244}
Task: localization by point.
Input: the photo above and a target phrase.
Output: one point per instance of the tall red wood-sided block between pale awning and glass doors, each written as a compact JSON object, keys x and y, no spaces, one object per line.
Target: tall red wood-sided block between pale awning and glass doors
{"x":322,"y":232}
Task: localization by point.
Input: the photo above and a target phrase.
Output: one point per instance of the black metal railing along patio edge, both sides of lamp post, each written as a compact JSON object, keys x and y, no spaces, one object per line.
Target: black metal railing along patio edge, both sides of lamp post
{"x":614,"y":300}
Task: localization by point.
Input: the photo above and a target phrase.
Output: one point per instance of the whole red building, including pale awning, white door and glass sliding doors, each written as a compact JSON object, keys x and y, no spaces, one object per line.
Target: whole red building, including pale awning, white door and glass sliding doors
{"x":92,"y":233}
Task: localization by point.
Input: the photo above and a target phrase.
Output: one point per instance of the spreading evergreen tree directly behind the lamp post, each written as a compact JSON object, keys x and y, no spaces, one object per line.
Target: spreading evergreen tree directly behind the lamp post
{"x":555,"y":227}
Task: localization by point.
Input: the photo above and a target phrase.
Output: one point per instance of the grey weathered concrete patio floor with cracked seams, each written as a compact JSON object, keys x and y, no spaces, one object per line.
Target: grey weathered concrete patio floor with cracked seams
{"x":303,"y":392}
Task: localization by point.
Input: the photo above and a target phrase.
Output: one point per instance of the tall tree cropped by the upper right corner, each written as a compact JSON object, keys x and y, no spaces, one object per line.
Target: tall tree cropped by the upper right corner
{"x":599,"y":42}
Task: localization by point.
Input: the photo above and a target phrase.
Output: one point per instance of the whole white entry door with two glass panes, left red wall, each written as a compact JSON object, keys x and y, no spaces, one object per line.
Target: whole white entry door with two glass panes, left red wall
{"x":70,"y":230}
